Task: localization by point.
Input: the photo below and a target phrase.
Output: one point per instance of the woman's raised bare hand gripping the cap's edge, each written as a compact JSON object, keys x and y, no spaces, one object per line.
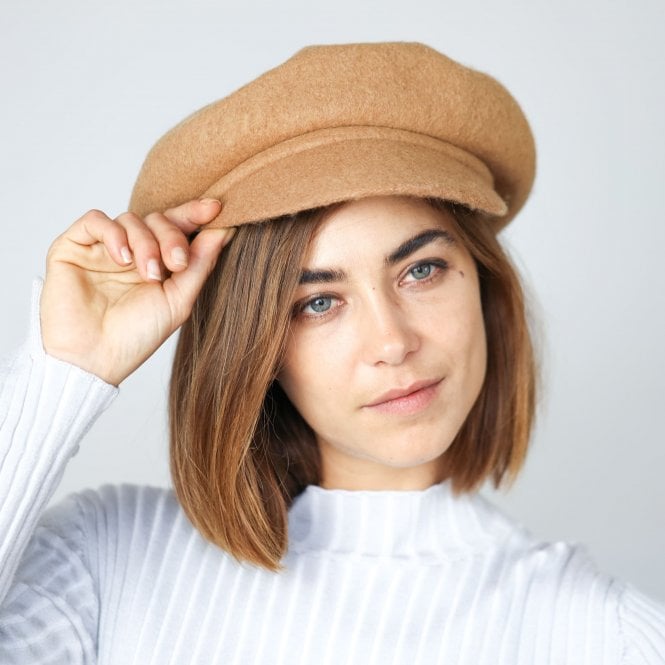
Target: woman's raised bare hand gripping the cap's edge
{"x":108,"y":301}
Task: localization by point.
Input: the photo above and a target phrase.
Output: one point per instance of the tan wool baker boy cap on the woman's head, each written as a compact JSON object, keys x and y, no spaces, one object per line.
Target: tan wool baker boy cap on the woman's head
{"x":334,"y":123}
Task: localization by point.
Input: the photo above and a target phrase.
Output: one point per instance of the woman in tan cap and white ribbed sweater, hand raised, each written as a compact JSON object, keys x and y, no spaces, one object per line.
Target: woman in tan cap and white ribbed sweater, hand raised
{"x":353,"y":366}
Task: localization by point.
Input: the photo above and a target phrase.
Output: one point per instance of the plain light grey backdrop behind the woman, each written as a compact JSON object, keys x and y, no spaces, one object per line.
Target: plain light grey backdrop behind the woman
{"x":87,"y":87}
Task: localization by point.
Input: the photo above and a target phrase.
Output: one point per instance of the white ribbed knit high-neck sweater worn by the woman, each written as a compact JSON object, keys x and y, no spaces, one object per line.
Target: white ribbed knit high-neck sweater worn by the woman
{"x":119,"y":576}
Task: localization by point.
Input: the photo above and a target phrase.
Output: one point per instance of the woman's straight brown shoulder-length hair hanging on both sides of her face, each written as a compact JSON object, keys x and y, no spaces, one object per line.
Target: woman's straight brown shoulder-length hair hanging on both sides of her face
{"x":240,"y":452}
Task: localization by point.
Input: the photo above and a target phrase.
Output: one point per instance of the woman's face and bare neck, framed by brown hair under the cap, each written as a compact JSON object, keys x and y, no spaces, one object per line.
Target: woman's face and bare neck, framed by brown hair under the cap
{"x":387,"y":350}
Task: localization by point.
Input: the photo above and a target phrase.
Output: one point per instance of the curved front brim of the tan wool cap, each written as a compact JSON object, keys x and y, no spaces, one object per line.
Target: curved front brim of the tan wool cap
{"x":345,"y":163}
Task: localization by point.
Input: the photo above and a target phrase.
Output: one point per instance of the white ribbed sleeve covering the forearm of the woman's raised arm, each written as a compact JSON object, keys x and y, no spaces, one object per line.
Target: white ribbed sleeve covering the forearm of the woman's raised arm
{"x":46,"y":407}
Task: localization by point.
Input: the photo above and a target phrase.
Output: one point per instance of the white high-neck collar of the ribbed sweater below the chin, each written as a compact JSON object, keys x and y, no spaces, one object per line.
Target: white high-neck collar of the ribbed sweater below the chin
{"x":422,"y":523}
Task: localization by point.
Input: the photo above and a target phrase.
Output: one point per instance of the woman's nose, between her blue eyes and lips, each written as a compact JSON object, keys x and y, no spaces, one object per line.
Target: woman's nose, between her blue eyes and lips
{"x":386,"y":334}
